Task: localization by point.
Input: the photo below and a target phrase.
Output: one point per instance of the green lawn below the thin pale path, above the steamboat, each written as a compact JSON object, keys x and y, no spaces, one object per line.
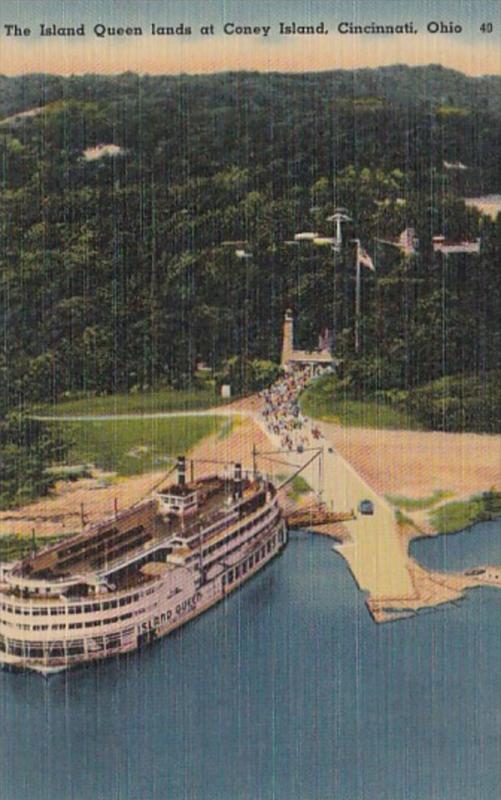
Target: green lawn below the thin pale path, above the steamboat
{"x":131,"y":447}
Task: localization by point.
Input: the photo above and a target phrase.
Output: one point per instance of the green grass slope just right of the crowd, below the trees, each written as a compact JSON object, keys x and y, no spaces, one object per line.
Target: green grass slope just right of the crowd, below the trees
{"x":322,"y":401}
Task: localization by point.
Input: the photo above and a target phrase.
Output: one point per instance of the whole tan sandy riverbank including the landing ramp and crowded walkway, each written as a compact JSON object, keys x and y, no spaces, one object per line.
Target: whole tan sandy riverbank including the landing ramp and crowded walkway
{"x":359,"y":469}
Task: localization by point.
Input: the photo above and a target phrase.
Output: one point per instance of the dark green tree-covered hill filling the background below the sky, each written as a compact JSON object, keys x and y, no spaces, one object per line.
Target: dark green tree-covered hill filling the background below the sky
{"x":113,"y":271}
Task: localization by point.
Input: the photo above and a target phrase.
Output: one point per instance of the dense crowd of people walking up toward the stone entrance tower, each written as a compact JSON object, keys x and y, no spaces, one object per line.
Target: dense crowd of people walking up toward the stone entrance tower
{"x":281,"y":411}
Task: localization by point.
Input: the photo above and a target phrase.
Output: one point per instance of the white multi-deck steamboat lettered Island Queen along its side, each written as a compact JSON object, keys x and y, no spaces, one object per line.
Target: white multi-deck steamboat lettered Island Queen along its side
{"x":137,"y":575}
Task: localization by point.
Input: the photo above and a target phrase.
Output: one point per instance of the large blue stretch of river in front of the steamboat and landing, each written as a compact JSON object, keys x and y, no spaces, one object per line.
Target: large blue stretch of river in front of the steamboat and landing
{"x":287,"y":691}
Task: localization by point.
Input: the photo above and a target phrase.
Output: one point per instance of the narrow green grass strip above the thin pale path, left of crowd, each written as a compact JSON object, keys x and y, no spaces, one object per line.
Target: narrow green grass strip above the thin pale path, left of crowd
{"x":140,"y":403}
